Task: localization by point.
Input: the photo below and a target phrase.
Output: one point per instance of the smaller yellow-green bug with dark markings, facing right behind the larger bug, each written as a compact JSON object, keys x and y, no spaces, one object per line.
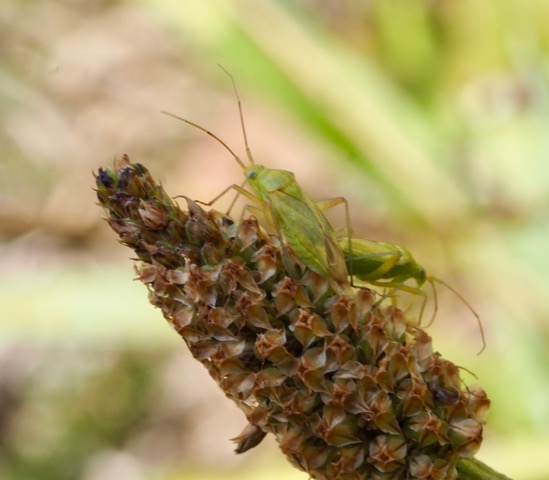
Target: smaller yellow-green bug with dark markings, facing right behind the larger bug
{"x":388,"y":265}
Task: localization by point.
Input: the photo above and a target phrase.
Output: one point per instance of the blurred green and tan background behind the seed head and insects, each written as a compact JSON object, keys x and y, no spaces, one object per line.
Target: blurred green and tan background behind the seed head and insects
{"x":430,"y":116}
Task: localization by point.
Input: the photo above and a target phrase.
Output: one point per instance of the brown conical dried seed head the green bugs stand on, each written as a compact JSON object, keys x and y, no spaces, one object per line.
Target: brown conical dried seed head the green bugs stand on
{"x":348,"y":387}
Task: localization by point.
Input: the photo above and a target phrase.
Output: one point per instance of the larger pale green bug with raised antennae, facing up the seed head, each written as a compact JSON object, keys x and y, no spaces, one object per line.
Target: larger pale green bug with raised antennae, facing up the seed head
{"x":287,"y":208}
